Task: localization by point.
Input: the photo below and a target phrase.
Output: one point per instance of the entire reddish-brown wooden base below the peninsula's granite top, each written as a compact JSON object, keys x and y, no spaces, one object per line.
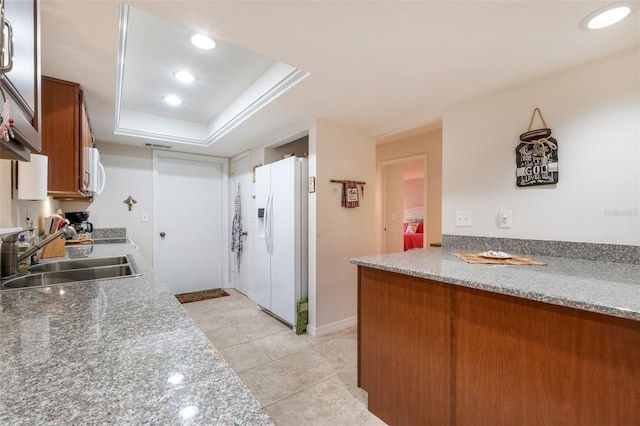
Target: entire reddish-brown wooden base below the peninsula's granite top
{"x":430,"y":353}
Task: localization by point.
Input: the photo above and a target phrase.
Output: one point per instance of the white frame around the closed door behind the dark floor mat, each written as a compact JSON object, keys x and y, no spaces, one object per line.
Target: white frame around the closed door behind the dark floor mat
{"x":224,"y":208}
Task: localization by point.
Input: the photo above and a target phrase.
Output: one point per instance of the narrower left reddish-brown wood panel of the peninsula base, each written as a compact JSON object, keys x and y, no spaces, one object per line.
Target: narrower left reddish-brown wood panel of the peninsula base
{"x":404,"y":347}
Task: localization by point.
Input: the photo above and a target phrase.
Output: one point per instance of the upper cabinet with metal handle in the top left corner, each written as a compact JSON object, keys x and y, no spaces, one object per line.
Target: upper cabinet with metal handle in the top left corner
{"x":21,"y":84}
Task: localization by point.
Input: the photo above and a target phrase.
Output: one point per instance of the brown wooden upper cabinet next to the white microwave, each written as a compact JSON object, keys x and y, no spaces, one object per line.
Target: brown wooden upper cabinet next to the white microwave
{"x":65,"y":134}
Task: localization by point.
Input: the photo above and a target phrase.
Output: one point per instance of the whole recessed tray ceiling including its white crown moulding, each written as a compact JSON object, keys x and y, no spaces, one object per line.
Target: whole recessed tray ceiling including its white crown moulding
{"x":231,"y":83}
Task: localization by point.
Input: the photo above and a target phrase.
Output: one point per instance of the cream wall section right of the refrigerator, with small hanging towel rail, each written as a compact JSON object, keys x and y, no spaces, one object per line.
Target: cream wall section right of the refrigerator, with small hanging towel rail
{"x":337,"y":234}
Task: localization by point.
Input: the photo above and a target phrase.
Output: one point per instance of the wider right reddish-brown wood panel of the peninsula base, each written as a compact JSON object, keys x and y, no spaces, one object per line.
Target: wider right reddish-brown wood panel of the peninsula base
{"x":522,"y":362}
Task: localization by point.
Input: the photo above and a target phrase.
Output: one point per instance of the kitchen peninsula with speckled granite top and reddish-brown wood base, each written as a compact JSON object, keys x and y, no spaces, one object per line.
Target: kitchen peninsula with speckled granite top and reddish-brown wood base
{"x":441,"y":341}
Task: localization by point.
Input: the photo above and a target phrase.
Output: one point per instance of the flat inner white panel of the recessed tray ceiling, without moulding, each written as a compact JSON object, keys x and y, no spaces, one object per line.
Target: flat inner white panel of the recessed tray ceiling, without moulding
{"x":150,"y":38}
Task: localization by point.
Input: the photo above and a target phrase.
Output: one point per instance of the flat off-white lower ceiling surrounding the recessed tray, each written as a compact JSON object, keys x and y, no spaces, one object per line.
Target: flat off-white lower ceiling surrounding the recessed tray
{"x":381,"y":66}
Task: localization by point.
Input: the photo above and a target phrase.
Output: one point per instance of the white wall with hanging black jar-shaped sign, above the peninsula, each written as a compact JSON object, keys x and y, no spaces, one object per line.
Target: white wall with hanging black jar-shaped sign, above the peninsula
{"x":594,"y":113}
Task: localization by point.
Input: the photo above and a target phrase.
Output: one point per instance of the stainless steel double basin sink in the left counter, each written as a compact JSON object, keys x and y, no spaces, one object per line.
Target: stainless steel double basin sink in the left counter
{"x":74,"y":270}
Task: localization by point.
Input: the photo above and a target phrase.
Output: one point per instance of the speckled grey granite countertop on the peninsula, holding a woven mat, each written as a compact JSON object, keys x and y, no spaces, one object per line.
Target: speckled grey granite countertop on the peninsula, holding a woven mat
{"x":603,"y":287}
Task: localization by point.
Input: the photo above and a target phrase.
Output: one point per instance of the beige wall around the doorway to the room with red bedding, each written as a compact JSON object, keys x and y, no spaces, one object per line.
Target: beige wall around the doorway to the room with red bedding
{"x":429,"y":144}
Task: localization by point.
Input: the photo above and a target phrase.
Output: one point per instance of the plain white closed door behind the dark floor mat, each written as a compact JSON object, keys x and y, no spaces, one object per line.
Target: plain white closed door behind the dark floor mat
{"x":190,"y":227}
